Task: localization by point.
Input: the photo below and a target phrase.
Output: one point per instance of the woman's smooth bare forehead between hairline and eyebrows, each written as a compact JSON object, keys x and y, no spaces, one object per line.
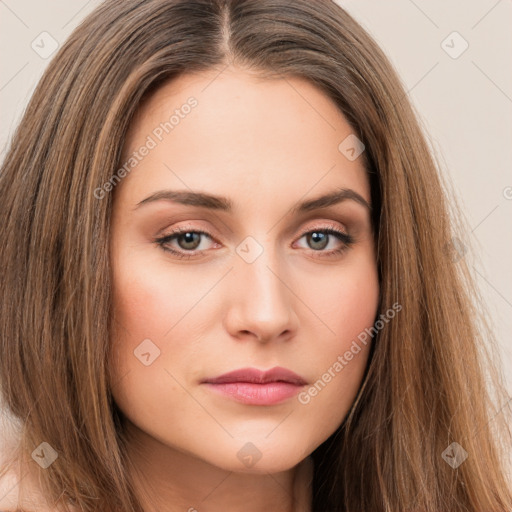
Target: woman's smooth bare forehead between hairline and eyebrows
{"x":257,"y":138}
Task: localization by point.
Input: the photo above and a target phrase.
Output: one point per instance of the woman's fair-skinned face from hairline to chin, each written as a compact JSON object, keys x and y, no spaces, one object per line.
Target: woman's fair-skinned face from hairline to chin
{"x":265,"y":286}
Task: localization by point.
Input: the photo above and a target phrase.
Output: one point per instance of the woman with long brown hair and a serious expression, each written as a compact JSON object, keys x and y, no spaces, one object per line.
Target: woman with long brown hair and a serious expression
{"x":315,"y":348}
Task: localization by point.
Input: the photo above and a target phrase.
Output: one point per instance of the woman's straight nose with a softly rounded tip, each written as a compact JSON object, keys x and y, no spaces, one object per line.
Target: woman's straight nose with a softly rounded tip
{"x":261,"y":303}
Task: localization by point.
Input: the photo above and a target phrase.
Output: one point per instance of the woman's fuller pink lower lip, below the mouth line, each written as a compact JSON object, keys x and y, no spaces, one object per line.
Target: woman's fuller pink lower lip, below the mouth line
{"x":256,"y":394}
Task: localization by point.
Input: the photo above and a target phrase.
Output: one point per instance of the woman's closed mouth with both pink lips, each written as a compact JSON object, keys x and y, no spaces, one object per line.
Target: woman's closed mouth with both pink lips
{"x":255,"y":387}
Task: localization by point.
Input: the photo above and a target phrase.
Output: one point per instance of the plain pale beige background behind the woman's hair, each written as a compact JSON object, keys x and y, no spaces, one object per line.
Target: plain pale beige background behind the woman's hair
{"x":465,"y":104}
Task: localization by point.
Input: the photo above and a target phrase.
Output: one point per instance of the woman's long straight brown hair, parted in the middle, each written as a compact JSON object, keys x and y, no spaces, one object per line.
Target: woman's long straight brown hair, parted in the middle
{"x":431,"y":378}
